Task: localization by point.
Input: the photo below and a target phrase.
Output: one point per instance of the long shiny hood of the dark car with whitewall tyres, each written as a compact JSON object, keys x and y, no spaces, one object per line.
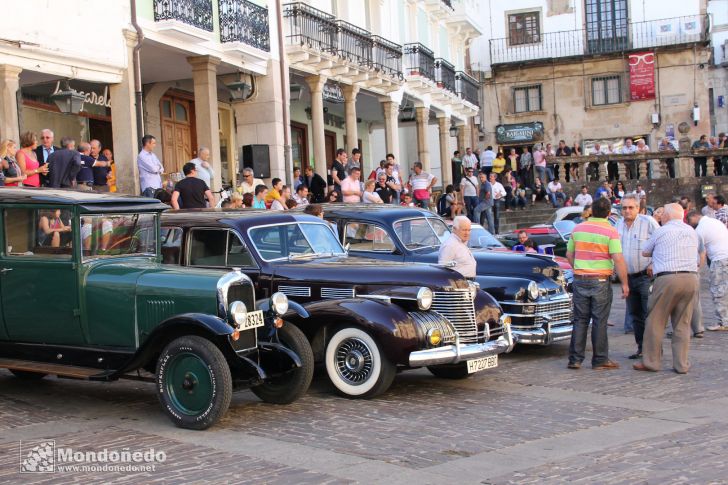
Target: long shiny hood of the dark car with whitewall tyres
{"x":365,"y":271}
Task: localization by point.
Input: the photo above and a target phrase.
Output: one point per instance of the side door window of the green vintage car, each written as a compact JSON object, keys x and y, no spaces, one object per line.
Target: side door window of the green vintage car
{"x":38,"y":233}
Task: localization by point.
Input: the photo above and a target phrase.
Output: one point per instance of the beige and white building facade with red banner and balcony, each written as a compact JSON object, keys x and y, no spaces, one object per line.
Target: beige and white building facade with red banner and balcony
{"x":592,"y":70}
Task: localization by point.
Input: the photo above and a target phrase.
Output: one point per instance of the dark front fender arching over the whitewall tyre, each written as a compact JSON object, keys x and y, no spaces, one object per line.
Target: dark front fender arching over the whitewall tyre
{"x":390,"y":325}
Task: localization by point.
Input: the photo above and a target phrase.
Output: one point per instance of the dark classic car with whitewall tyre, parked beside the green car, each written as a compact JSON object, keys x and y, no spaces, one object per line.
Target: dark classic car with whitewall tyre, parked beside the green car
{"x":366,"y":319}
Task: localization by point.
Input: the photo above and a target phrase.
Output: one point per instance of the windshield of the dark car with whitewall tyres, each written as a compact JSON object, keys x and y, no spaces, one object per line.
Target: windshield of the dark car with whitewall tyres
{"x":292,"y":241}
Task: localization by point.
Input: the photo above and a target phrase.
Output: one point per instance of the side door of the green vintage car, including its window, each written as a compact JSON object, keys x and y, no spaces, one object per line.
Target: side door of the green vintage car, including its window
{"x":40,"y":301}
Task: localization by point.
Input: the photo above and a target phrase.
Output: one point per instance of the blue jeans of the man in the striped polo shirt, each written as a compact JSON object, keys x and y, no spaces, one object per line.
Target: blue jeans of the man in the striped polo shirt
{"x":592,"y":301}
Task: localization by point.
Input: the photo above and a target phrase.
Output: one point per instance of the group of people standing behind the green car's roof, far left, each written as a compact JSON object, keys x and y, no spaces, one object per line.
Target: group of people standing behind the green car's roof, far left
{"x":35,"y":161}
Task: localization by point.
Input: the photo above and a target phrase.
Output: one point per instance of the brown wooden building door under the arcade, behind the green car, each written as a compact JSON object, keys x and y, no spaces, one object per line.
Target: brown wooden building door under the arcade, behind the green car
{"x":177,"y":119}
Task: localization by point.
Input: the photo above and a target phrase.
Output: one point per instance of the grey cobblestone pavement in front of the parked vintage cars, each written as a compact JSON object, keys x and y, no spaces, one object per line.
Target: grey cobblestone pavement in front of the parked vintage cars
{"x":529,"y":421}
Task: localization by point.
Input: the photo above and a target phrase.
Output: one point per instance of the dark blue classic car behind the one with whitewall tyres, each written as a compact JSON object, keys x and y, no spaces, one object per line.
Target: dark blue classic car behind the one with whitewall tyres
{"x":531,"y":288}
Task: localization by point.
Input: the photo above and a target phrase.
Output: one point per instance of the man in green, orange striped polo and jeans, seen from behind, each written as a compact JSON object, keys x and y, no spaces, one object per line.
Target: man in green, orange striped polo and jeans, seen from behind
{"x":594,"y":251}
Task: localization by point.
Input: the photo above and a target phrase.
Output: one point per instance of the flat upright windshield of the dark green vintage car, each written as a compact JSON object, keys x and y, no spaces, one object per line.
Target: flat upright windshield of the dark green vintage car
{"x":109,"y":235}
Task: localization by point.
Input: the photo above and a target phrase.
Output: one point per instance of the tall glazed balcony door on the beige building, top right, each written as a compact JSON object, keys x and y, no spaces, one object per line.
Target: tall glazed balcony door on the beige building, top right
{"x":606,"y":26}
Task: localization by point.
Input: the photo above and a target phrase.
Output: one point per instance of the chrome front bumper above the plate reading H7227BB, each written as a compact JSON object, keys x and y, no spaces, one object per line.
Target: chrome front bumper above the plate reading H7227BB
{"x":452,"y":354}
